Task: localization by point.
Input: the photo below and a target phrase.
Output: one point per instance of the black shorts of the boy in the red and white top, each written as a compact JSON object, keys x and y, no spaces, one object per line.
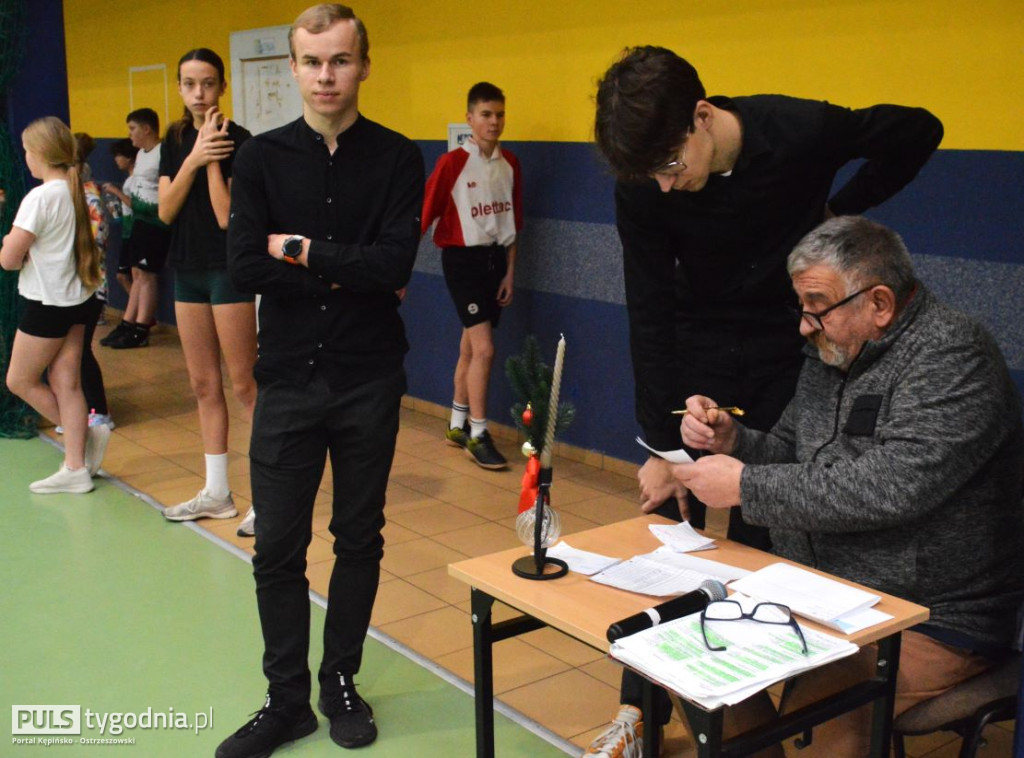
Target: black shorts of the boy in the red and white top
{"x":474,"y":276}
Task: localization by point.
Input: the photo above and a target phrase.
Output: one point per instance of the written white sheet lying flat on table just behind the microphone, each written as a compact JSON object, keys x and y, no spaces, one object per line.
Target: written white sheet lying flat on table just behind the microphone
{"x":666,"y":573}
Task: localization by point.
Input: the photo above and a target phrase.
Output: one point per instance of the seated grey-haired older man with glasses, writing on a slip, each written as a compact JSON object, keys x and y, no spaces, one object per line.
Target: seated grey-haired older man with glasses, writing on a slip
{"x":899,"y":465}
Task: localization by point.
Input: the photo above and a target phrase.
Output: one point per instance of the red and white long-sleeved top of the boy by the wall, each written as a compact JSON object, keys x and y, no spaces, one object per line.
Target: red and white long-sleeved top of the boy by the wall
{"x":479,"y":200}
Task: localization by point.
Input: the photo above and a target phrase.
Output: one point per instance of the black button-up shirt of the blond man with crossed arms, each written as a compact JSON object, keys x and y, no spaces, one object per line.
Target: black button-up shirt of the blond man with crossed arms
{"x":360,"y":207}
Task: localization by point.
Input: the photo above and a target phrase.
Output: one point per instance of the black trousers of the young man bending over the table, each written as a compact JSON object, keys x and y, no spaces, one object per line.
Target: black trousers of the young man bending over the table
{"x":736,"y":366}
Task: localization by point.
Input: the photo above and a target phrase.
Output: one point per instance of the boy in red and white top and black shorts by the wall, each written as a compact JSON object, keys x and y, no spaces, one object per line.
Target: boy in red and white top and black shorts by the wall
{"x":476,"y":192}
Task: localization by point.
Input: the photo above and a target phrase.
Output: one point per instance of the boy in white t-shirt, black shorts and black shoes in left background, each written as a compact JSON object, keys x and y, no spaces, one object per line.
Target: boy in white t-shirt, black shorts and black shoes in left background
{"x":151,"y":238}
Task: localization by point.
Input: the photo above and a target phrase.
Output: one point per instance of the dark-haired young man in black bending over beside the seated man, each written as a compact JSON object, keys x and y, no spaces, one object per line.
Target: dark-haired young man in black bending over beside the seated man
{"x":712,"y":196}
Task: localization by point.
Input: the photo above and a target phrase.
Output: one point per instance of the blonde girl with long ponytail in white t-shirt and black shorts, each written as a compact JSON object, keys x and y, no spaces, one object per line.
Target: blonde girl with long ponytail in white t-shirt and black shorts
{"x":53,"y":246}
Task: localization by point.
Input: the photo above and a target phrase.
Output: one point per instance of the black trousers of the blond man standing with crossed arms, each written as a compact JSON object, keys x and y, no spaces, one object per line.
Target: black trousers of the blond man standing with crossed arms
{"x":294,"y":430}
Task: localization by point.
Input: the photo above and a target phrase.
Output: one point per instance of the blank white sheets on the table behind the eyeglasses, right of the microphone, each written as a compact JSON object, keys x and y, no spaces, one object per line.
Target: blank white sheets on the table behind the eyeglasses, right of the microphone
{"x":808,"y":595}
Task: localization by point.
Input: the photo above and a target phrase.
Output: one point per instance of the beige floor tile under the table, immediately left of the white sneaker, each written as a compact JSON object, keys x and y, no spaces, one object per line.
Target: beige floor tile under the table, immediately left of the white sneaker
{"x":570,"y":703}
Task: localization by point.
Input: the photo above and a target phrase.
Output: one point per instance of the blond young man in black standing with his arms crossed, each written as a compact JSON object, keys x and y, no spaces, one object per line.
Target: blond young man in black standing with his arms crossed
{"x":325,"y":226}
